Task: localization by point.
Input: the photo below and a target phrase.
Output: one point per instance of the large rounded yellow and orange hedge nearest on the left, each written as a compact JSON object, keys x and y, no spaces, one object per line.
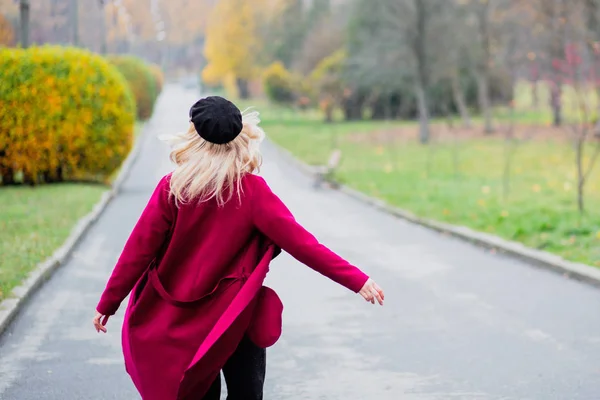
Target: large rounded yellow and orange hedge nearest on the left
{"x":65,"y":113}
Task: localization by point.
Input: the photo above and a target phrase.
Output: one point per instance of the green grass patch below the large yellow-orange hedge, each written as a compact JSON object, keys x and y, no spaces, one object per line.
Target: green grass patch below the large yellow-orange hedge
{"x":34,"y":222}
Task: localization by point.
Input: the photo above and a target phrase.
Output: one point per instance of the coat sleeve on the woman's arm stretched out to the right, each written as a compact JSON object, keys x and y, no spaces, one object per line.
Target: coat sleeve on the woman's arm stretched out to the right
{"x":275,"y":220}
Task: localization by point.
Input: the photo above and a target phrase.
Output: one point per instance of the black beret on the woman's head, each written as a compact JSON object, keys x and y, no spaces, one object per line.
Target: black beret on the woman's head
{"x":216,"y":119}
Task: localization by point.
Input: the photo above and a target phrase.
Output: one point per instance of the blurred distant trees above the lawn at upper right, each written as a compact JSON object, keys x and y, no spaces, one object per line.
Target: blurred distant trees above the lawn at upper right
{"x":408,"y":58}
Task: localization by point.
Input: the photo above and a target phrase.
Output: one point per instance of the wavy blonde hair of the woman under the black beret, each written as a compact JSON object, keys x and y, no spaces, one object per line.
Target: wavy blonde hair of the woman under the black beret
{"x":206,"y":171}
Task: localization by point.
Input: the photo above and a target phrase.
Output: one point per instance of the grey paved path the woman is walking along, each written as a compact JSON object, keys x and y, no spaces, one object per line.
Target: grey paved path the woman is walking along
{"x":459,"y":323}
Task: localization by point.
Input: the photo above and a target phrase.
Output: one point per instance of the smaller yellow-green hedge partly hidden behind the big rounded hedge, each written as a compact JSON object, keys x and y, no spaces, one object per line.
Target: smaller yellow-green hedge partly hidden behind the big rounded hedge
{"x":142,"y":82}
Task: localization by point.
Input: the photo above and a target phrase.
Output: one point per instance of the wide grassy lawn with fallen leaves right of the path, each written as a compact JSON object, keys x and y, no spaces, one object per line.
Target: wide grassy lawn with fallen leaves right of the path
{"x":456,"y":181}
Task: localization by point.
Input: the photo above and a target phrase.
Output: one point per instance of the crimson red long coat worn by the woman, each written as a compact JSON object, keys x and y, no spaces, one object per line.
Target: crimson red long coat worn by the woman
{"x":196,"y":272}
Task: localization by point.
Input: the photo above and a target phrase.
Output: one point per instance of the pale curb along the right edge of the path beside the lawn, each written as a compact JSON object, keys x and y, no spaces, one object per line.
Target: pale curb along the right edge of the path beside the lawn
{"x":578,"y":271}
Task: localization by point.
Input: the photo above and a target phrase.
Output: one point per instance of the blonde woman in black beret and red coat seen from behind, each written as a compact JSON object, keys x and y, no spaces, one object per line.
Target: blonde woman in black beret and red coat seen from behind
{"x":196,"y":260}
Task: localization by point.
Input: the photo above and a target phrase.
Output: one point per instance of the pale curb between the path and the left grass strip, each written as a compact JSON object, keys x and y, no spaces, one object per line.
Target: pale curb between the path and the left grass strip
{"x":10,"y":307}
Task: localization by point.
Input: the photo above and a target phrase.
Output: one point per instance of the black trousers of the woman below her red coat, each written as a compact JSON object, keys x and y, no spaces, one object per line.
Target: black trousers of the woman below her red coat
{"x":244,"y":374}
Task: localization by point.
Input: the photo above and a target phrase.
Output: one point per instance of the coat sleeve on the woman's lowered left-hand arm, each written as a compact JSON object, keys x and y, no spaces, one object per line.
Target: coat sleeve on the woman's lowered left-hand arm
{"x":143,"y":245}
